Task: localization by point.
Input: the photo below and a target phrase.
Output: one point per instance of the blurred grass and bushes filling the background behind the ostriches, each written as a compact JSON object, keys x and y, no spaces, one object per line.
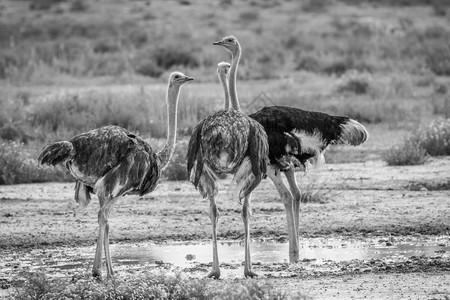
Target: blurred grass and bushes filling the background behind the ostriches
{"x":67,"y":66}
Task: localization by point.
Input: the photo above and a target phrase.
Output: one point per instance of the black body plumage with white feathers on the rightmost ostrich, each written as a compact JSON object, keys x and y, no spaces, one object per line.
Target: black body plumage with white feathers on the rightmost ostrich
{"x":297,"y":135}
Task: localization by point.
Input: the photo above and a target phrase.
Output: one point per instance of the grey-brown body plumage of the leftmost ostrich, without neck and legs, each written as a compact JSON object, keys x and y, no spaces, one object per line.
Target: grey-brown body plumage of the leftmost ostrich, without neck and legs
{"x":108,"y":161}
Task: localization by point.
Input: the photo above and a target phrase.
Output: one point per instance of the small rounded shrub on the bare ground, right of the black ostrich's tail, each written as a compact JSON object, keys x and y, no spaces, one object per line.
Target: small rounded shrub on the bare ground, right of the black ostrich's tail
{"x":410,"y":153}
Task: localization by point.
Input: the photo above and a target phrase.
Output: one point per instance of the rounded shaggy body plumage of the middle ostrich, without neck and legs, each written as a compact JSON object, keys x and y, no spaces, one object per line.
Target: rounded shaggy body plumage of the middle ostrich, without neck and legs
{"x":219,"y":144}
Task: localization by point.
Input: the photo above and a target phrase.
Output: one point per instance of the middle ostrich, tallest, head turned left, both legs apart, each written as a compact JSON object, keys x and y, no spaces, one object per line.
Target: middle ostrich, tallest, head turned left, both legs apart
{"x":228,"y":142}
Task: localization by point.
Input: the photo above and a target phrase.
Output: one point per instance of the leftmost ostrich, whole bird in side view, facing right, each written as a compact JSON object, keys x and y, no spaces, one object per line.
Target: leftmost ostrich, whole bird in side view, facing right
{"x":111,"y":162}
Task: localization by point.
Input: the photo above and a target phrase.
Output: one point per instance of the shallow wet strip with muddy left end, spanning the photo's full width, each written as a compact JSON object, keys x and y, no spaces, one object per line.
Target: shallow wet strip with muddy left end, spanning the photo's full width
{"x":231,"y":254}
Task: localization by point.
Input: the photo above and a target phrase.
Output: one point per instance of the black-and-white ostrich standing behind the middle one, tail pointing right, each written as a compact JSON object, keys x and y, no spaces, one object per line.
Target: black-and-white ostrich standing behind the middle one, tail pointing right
{"x":295,"y":138}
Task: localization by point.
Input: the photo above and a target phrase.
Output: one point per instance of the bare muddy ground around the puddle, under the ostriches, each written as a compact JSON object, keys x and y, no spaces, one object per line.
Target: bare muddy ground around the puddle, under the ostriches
{"x":353,"y":202}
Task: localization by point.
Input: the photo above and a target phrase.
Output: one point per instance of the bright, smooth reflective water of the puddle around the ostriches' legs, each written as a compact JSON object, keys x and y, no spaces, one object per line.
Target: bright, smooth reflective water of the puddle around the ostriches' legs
{"x":184,"y":255}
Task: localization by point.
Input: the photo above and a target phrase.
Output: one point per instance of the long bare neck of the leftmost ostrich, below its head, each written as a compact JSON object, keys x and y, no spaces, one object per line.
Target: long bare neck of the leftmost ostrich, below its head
{"x":172,"y":106}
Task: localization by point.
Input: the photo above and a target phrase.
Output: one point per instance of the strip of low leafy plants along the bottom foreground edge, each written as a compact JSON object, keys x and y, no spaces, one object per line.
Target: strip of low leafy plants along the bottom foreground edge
{"x":147,"y":285}
